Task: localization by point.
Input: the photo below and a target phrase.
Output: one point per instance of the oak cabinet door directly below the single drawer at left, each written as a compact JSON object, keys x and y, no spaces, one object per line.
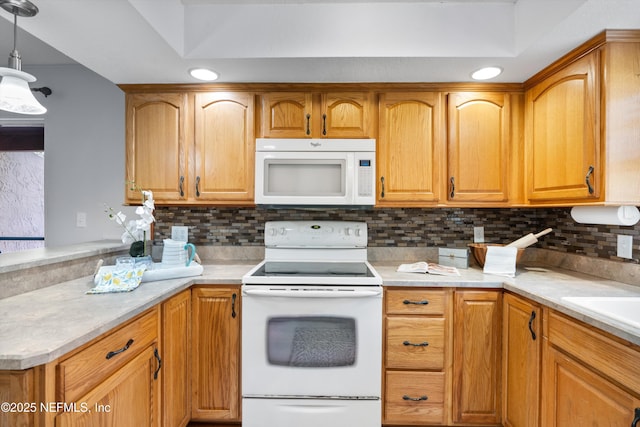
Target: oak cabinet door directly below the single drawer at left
{"x":129,"y":397}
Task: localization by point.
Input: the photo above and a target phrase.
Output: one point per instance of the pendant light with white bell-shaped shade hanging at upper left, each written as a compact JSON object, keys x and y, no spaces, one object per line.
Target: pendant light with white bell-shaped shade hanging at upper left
{"x":15,"y":94}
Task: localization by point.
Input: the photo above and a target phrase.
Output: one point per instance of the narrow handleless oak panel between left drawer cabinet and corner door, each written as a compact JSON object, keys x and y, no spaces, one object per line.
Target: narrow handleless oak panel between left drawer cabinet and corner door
{"x":176,"y":351}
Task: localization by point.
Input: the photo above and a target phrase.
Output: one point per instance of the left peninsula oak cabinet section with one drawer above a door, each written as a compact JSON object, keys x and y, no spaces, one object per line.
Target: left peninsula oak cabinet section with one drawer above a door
{"x":113,"y":381}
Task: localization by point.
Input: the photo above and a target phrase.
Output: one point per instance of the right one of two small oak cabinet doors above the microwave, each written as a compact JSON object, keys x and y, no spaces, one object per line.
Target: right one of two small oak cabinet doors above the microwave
{"x":346,"y":115}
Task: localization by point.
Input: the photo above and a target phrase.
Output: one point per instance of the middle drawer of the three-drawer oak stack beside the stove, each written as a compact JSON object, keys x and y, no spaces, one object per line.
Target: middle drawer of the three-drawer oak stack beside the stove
{"x":415,"y":343}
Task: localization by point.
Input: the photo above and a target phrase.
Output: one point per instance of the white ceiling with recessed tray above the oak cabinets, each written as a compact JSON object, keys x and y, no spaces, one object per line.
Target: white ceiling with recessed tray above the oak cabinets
{"x":158,"y":41}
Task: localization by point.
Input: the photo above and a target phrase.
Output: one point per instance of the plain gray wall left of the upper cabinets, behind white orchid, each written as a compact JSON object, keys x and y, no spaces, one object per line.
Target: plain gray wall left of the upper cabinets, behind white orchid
{"x":84,"y":152}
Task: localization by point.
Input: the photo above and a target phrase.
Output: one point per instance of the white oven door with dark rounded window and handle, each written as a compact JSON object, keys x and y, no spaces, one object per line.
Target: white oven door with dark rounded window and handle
{"x":312,"y":341}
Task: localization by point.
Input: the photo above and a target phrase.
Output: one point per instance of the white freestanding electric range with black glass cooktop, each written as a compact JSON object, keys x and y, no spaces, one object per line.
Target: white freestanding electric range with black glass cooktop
{"x":312,"y":329}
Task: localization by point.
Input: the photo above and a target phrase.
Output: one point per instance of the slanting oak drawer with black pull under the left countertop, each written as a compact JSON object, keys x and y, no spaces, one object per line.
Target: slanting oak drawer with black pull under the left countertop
{"x":81,"y":372}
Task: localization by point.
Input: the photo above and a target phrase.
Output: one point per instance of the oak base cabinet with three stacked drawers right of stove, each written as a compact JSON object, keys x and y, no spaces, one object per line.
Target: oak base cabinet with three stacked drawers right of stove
{"x":417,"y":349}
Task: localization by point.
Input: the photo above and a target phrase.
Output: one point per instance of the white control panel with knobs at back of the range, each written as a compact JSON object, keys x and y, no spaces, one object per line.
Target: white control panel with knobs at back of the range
{"x":316,"y":234}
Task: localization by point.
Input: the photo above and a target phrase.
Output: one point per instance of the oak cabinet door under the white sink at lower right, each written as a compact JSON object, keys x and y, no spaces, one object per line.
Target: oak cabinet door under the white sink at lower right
{"x":577,"y":396}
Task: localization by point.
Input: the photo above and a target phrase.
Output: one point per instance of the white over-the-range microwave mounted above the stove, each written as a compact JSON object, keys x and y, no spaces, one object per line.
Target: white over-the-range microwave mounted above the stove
{"x":315,"y":172}
